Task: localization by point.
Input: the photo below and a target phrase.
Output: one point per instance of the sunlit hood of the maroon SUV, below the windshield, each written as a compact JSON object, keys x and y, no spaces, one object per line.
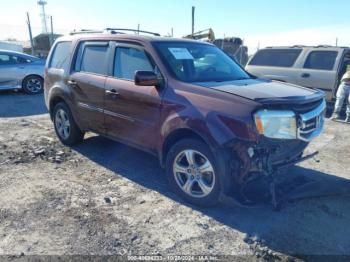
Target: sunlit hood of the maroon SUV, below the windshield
{"x":265,"y":91}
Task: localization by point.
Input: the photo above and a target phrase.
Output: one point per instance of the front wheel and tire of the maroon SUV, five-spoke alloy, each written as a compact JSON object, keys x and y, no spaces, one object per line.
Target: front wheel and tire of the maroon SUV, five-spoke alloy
{"x":193,"y":172}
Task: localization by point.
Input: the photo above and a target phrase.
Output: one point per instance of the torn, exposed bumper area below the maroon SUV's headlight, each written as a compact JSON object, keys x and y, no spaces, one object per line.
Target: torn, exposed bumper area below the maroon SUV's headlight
{"x":256,"y":170}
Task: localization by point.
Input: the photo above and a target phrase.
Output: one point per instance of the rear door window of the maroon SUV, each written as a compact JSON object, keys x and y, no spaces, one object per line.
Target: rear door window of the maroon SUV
{"x":92,"y":57}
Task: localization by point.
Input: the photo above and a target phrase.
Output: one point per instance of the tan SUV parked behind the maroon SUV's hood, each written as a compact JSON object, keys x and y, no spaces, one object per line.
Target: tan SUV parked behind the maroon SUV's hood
{"x":318,"y":67}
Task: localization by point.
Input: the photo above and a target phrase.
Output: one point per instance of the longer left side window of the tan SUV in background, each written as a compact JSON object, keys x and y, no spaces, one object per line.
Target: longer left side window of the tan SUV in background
{"x":276,"y":57}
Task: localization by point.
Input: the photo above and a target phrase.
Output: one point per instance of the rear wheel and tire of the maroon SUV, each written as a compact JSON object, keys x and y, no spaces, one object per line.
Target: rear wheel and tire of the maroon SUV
{"x":66,"y":129}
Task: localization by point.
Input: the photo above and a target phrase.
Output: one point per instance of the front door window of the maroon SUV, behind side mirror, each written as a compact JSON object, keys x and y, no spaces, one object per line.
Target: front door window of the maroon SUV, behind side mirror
{"x":129,"y":60}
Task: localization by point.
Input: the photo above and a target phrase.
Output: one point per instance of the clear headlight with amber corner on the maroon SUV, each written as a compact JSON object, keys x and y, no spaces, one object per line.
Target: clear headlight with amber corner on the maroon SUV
{"x":276,"y":124}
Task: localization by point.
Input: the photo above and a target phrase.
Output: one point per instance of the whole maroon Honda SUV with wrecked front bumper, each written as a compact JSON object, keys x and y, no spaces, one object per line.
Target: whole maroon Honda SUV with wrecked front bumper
{"x":214,"y":127}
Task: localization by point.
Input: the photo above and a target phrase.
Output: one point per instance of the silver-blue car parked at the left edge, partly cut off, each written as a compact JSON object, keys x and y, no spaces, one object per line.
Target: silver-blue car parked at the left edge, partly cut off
{"x":21,"y":71}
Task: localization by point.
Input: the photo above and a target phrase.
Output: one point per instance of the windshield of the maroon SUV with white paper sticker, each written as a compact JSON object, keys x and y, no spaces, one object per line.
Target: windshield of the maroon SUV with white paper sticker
{"x":199,"y":62}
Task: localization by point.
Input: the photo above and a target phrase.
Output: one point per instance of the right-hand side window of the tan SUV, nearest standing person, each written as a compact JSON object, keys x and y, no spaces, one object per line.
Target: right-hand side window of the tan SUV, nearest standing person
{"x":321,"y":60}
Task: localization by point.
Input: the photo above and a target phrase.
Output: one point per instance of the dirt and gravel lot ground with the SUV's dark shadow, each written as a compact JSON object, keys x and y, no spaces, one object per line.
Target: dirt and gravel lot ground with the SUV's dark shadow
{"x":103,"y":198}
